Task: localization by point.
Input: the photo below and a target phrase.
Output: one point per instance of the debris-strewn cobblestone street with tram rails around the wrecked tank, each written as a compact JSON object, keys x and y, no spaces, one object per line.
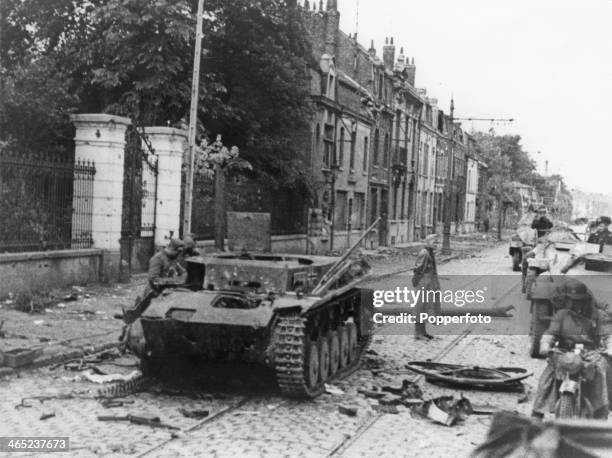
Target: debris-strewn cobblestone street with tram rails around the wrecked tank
{"x":247,"y":424}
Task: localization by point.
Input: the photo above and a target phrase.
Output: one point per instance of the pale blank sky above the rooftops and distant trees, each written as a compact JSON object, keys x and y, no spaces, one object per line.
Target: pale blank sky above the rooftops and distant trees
{"x":545,"y":63}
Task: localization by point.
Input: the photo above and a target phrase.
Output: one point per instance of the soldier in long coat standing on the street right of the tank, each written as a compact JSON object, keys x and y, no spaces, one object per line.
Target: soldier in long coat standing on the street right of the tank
{"x":426,"y":277}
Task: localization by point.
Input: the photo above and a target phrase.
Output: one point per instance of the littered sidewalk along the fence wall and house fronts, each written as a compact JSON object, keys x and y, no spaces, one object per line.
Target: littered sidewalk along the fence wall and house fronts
{"x":80,"y":321}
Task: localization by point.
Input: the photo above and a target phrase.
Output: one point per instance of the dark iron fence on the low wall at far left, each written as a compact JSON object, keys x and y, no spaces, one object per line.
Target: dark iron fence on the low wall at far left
{"x":45,"y":202}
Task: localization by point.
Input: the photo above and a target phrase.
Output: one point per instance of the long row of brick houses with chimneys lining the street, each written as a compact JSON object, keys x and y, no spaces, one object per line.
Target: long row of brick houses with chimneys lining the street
{"x":379,"y":147}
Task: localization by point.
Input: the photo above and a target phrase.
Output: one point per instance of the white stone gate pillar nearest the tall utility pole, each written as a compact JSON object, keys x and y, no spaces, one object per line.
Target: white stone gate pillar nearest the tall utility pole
{"x":168,"y":144}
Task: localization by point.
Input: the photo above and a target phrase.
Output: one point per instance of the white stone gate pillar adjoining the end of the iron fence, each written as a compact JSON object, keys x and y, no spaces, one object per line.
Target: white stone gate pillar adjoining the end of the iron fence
{"x":100,"y":138}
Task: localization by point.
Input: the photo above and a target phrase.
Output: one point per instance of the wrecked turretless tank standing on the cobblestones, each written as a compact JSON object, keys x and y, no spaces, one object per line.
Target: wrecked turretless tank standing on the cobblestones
{"x":301,"y":317}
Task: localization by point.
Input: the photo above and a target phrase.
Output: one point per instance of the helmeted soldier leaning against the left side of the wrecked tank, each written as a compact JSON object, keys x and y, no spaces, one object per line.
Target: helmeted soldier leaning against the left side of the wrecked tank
{"x":163,"y":265}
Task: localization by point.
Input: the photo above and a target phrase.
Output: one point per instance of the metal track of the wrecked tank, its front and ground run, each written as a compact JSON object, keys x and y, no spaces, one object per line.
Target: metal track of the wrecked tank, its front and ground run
{"x":290,"y":344}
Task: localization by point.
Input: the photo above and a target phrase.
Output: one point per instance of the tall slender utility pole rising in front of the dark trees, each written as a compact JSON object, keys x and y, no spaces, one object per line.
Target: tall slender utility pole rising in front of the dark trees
{"x":193,"y":120}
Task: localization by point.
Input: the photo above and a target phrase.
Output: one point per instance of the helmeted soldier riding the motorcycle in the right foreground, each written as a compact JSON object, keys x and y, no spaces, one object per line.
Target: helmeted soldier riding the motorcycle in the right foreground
{"x":582,"y":322}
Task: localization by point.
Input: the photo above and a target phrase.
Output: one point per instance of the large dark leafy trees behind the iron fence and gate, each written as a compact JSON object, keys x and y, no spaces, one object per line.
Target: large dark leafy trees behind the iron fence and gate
{"x":134,"y":58}
